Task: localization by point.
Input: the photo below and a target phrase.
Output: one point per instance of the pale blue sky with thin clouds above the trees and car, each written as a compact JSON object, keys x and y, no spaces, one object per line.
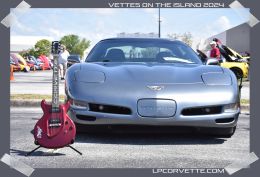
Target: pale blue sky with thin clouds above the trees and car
{"x":97,"y":24}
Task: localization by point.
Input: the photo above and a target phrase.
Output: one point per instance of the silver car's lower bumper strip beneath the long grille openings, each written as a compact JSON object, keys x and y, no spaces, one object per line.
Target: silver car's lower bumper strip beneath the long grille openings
{"x":82,"y":117}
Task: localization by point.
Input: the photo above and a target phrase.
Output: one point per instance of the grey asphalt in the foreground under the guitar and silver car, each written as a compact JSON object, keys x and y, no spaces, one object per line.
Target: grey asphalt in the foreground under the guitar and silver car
{"x":129,"y":150}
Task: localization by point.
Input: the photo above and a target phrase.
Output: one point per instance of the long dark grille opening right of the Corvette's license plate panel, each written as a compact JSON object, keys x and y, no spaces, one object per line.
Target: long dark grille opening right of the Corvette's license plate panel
{"x":202,"y":111}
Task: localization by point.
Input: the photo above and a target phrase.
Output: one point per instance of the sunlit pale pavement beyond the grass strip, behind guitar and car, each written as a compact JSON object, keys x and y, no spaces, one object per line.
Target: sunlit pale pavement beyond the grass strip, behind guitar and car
{"x":40,"y":82}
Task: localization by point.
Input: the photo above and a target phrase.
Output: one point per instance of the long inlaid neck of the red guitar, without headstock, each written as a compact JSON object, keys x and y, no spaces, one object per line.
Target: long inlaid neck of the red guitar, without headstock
{"x":55,"y":84}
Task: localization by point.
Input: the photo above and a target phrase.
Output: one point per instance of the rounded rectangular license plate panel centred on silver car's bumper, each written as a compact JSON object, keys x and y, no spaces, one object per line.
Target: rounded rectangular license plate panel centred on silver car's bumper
{"x":156,"y":108}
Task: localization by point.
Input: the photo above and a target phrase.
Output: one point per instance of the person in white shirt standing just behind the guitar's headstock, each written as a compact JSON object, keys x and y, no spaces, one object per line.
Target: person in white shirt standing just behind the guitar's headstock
{"x":63,"y":56}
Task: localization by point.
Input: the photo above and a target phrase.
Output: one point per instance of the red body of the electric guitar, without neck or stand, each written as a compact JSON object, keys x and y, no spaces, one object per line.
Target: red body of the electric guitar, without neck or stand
{"x":54,"y":129}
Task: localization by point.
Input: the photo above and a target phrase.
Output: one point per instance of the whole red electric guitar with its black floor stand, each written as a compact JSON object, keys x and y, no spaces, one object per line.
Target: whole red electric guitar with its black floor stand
{"x":55,"y":129}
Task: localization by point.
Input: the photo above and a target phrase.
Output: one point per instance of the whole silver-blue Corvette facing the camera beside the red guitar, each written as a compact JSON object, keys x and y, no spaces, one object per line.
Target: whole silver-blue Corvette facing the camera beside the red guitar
{"x":152,"y":82}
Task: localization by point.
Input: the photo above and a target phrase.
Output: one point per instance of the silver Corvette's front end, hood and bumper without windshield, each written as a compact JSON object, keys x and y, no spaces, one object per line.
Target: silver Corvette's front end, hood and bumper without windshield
{"x":157,"y":94}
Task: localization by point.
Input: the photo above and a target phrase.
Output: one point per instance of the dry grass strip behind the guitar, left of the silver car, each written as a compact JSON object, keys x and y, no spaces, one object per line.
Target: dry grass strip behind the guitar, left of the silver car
{"x":33,"y":97}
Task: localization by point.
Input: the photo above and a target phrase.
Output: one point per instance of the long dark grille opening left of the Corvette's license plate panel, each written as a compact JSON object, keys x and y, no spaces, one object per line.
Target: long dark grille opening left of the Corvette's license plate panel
{"x":109,"y":109}
